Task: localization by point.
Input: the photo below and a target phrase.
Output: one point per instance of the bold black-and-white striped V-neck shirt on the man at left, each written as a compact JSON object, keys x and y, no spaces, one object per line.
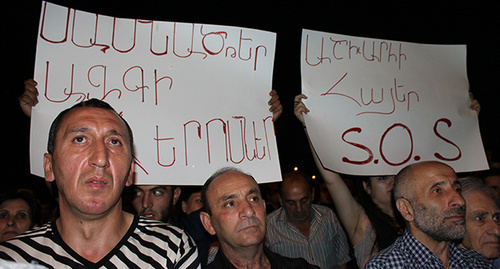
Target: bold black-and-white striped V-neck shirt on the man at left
{"x":147,"y":244}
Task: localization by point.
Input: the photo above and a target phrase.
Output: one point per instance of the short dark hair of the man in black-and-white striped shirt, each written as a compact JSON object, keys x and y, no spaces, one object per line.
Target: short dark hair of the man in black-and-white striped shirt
{"x":96,"y":103}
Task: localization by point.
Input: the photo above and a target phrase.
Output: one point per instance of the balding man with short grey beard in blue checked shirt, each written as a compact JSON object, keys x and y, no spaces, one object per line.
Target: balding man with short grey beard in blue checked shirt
{"x":428,"y":196}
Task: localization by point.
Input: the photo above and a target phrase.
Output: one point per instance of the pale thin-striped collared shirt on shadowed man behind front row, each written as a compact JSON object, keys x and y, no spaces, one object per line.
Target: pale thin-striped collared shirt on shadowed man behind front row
{"x":326,"y":246}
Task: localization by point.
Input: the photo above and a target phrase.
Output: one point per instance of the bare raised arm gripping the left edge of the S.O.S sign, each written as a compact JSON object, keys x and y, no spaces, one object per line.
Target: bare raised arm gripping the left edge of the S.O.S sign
{"x":349,"y":211}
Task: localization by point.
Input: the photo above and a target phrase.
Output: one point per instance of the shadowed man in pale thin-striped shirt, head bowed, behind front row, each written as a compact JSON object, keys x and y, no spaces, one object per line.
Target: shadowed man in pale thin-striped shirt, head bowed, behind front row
{"x":301,"y":229}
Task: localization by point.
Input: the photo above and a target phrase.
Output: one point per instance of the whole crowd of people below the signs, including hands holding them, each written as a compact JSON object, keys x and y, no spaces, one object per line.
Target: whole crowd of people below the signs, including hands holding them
{"x":423,"y":217}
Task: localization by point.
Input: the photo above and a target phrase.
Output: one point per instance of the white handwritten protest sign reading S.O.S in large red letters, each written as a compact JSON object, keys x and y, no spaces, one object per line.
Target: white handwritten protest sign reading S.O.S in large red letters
{"x":378,"y":105}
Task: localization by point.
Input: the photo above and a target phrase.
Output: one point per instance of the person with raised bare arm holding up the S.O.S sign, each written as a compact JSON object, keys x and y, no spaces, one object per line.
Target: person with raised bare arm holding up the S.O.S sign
{"x":373,"y":223}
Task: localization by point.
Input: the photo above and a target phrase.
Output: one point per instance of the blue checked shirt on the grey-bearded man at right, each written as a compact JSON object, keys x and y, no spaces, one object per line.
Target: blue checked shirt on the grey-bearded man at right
{"x":408,"y":252}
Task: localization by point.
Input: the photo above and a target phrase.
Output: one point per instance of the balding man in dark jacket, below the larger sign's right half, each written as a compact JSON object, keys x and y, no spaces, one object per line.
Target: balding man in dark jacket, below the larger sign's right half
{"x":235,"y":211}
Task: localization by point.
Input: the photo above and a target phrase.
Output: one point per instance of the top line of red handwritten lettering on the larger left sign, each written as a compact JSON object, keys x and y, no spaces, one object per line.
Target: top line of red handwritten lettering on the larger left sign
{"x":181,"y":41}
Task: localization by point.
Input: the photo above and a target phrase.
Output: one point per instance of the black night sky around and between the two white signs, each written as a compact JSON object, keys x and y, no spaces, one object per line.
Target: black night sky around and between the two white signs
{"x":475,"y":24}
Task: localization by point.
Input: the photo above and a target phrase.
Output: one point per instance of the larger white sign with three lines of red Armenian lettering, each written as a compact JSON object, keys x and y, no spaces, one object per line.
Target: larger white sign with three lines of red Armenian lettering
{"x":195,"y":95}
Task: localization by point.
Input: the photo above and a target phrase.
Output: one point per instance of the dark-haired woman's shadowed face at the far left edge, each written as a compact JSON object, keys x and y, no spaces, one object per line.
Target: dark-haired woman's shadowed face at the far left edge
{"x":18,"y":213}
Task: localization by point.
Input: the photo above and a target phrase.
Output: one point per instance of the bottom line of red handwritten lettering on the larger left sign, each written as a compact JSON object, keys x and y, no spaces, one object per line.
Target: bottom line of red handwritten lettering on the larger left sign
{"x":238,"y":146}
